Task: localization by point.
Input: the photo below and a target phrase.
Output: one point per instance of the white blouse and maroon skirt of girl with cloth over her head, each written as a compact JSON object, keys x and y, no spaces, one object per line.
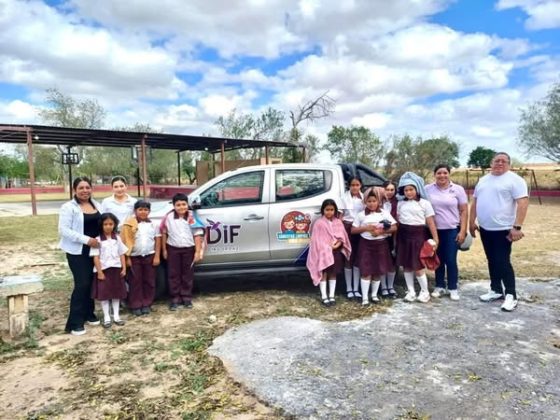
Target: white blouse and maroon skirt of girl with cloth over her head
{"x":412,"y":232}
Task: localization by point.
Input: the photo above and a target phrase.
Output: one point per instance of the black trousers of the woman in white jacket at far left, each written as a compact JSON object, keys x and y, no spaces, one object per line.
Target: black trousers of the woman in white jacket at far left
{"x":82,"y":306}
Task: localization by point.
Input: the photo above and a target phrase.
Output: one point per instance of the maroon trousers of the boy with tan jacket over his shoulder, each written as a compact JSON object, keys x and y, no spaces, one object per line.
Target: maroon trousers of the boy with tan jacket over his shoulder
{"x":141,"y":282}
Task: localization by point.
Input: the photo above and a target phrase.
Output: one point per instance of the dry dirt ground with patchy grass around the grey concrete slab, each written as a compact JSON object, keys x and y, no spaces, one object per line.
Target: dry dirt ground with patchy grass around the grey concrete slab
{"x":157,"y":366}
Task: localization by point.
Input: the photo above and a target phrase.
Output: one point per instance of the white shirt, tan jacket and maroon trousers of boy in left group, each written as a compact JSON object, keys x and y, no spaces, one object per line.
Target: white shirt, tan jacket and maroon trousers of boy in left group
{"x":140,"y":238}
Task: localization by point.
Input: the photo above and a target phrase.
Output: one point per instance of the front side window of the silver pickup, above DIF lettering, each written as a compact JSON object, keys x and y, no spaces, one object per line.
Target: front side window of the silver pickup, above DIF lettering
{"x":236,"y":190}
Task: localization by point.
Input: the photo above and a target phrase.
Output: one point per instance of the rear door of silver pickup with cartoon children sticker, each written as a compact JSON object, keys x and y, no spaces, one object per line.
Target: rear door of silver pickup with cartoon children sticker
{"x":296,"y":203}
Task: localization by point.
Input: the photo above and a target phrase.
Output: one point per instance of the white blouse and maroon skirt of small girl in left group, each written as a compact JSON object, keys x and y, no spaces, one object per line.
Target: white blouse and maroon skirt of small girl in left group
{"x":109,"y":253}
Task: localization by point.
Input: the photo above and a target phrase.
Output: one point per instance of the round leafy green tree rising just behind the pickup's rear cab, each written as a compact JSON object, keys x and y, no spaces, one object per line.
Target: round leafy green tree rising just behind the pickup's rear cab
{"x":354,"y":144}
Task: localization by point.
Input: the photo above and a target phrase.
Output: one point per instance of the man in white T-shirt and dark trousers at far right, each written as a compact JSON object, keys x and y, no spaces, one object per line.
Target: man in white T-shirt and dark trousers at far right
{"x":500,"y":204}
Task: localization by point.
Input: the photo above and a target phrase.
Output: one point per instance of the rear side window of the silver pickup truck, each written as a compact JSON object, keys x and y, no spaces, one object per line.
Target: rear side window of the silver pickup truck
{"x":294,"y":184}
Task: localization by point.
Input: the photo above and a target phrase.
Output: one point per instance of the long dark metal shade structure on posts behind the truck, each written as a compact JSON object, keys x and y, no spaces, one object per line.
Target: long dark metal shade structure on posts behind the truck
{"x":49,"y":135}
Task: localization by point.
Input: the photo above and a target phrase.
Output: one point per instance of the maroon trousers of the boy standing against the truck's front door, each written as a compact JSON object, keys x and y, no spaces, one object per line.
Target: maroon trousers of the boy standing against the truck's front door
{"x":180,"y":273}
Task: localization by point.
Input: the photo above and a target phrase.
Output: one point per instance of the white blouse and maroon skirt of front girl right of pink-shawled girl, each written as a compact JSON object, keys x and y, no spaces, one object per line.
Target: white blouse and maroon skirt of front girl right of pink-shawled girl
{"x":374,"y":256}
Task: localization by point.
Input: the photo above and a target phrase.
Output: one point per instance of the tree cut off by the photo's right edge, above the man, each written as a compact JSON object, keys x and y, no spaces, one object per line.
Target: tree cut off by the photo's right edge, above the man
{"x":539,"y":129}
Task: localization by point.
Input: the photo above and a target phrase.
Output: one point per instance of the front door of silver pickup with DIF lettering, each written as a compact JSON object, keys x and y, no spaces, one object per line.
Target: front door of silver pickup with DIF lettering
{"x":235,"y":213}
